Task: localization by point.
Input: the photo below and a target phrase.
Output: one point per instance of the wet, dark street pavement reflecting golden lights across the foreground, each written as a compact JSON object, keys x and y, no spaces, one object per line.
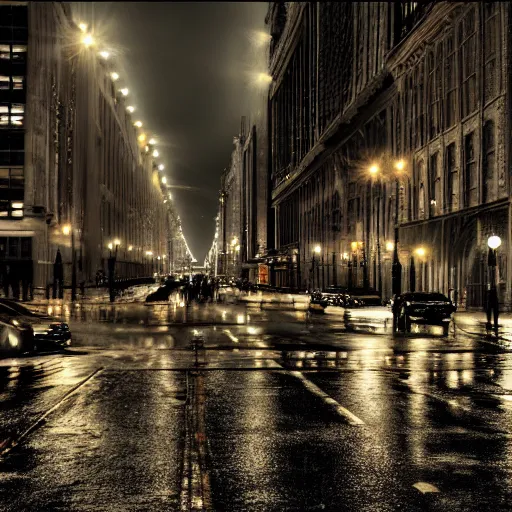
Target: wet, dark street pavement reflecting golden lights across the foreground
{"x":276,"y":411}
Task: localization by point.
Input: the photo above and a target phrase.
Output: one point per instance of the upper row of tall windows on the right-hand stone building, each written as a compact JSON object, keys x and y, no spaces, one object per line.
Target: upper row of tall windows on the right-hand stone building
{"x":445,"y":87}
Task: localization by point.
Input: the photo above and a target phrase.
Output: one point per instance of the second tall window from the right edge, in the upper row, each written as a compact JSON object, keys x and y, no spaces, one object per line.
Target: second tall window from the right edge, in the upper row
{"x":467,"y":39}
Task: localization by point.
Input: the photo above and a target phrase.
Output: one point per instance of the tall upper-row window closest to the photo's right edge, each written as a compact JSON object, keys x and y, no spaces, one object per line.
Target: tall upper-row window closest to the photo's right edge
{"x":491,"y":36}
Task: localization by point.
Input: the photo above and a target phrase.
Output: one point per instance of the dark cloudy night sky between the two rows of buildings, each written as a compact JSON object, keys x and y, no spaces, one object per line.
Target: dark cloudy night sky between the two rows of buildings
{"x":187,"y":66}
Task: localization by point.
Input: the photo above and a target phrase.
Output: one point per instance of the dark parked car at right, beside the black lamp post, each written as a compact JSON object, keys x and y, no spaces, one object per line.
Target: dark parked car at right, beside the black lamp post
{"x":425,"y":308}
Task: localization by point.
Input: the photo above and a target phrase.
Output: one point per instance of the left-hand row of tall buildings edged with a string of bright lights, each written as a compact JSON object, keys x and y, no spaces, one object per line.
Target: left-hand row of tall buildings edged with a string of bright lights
{"x":75,"y":173}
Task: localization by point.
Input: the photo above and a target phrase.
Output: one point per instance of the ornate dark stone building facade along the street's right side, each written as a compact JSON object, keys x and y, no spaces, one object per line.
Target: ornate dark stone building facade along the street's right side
{"x":418,"y":93}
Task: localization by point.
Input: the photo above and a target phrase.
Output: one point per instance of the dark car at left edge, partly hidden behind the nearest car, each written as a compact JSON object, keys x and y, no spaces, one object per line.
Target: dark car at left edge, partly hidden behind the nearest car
{"x":47,"y":330}
